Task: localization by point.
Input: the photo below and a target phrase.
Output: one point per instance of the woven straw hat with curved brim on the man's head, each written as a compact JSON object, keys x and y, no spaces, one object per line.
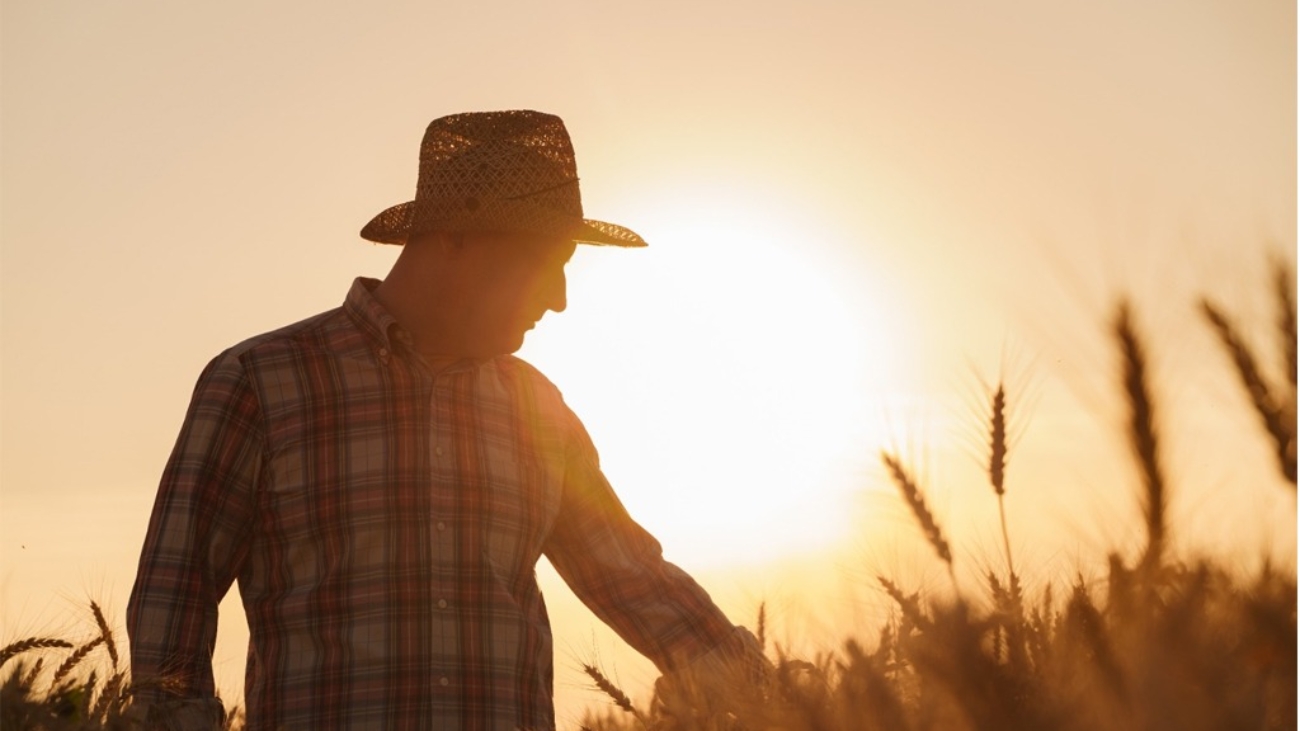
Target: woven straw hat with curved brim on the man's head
{"x":497,"y":172}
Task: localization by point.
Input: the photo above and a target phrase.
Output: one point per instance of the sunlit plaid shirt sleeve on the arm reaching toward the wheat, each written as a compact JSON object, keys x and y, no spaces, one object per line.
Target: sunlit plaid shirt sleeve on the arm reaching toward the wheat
{"x":617,"y":568}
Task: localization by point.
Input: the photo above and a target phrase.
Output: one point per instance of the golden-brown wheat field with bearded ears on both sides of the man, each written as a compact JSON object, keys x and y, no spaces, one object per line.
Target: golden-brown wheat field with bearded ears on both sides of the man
{"x":1163,"y":646}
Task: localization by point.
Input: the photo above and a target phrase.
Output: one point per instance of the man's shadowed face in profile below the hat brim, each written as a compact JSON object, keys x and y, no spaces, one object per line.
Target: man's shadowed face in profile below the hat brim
{"x":513,"y":282}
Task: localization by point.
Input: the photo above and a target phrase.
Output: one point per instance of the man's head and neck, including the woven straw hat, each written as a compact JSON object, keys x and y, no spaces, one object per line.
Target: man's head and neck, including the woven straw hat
{"x":496,"y":217}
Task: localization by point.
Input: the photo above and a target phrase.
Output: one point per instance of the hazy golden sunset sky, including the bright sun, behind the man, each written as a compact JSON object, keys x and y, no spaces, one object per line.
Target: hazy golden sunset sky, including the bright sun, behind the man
{"x":861,"y":217}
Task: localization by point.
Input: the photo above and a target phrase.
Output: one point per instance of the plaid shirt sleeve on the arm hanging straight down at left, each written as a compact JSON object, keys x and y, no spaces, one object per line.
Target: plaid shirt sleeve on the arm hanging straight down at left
{"x":197,"y":540}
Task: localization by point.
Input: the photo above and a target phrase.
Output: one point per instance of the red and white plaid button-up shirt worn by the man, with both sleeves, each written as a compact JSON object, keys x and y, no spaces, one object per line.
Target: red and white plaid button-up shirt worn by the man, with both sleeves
{"x":384,"y":522}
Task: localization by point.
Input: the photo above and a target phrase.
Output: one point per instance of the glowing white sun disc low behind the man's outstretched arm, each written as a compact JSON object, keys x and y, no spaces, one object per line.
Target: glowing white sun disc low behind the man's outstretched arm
{"x":727,"y":375}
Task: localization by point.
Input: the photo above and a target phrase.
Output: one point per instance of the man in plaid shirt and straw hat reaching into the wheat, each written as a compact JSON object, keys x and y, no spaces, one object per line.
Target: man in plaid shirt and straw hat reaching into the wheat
{"x":383,"y":478}
